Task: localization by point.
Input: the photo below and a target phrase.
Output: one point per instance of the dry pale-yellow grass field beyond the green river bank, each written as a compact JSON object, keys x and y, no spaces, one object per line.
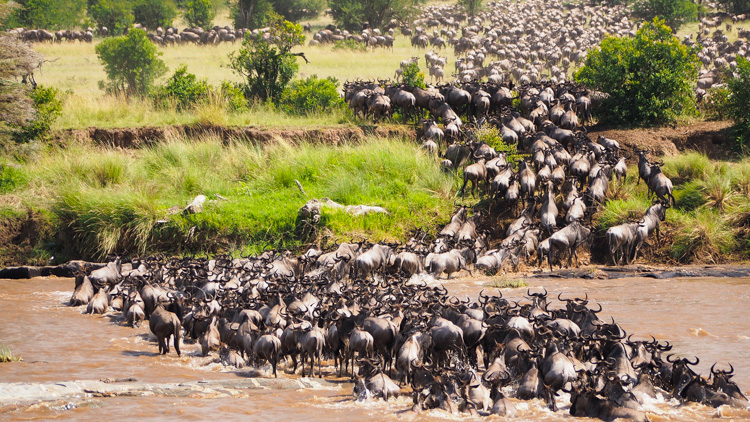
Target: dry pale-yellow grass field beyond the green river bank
{"x":74,"y":69}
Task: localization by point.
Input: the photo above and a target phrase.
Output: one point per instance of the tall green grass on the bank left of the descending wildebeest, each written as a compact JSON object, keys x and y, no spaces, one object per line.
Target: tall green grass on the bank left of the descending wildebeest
{"x":108,"y":200}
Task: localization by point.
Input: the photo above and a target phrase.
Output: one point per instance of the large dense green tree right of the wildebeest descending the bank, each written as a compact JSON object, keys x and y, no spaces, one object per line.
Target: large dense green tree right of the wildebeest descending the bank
{"x":649,"y":77}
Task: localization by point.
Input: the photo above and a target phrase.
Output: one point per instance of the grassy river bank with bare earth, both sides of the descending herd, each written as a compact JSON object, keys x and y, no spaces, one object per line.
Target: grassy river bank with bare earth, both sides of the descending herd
{"x":121,"y":191}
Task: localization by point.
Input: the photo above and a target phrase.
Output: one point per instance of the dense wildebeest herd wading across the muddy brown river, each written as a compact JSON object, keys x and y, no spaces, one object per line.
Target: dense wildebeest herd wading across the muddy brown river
{"x":396,"y":336}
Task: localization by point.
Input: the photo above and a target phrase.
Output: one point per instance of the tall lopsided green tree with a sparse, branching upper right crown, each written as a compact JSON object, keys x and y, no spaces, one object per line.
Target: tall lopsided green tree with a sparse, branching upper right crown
{"x":266,"y":67}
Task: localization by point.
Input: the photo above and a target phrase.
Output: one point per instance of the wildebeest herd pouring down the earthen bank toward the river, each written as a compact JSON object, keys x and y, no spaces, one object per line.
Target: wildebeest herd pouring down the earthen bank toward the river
{"x":552,"y":185}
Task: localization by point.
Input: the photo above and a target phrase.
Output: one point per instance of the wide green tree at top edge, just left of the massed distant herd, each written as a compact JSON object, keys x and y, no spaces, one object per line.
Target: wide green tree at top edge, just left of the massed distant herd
{"x":352,"y":14}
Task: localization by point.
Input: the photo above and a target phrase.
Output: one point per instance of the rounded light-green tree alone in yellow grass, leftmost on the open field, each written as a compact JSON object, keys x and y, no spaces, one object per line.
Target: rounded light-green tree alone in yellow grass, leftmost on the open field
{"x":131,"y":62}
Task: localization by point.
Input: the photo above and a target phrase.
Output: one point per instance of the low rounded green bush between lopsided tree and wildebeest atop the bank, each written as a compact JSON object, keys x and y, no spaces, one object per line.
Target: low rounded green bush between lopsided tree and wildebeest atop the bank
{"x":311,"y":95}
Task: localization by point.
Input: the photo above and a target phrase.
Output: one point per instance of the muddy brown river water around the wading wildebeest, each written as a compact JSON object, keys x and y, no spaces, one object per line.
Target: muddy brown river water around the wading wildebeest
{"x":707,"y":317}
